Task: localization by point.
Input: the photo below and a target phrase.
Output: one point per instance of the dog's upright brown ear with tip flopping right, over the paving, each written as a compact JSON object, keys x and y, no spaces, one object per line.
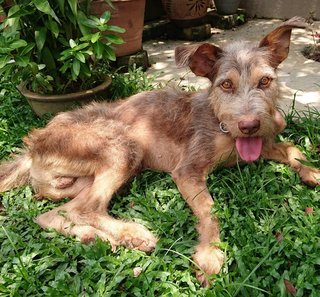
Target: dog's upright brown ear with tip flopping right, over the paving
{"x":278,"y":40}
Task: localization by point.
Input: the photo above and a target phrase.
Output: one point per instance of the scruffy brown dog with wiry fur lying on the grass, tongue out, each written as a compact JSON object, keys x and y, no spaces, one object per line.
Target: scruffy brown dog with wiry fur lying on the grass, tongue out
{"x":87,"y":154}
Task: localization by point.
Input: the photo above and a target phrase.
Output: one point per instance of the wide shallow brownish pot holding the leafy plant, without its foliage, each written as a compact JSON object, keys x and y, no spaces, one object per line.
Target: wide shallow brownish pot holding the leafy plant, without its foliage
{"x":42,"y":104}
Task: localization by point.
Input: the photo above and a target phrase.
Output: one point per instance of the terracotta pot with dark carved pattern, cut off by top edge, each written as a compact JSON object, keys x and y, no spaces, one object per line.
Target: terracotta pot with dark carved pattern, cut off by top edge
{"x":185,"y":9}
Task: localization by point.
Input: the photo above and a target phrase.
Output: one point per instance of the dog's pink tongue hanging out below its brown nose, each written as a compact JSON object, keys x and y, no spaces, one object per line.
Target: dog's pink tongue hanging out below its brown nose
{"x":249,"y":148}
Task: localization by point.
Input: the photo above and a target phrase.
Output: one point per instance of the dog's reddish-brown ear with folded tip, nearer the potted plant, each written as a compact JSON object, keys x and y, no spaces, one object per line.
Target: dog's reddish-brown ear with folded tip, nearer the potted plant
{"x":200,"y":58}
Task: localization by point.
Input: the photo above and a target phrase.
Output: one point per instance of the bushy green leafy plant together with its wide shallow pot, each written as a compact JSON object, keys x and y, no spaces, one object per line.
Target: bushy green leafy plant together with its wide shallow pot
{"x":53,"y":49}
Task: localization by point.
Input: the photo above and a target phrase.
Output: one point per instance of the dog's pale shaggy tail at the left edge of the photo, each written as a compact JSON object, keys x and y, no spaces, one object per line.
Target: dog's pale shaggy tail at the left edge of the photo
{"x":16,"y":172}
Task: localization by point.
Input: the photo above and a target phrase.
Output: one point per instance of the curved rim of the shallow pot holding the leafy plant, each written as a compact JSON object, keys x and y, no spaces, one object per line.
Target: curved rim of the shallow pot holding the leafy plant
{"x":63,"y":97}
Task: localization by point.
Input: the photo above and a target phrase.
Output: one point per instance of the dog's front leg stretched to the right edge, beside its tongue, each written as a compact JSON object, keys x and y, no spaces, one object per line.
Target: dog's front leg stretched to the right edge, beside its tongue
{"x":289,"y":154}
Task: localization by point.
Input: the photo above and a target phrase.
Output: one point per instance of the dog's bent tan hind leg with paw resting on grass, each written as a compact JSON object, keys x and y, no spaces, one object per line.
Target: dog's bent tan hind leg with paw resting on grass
{"x":85,"y":216}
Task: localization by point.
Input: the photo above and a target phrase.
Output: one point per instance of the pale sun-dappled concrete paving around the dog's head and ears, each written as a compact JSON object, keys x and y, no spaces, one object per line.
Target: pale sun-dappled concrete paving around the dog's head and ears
{"x":298,"y":77}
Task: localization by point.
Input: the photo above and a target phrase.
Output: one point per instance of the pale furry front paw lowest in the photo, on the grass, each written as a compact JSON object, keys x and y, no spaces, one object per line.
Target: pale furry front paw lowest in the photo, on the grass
{"x":210,"y":260}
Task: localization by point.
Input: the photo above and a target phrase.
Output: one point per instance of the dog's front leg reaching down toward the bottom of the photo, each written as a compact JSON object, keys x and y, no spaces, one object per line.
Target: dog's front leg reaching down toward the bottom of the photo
{"x":207,"y":255}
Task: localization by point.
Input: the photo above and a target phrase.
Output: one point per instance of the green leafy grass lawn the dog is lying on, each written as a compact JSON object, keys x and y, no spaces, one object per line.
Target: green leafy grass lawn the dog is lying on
{"x":272,"y":245}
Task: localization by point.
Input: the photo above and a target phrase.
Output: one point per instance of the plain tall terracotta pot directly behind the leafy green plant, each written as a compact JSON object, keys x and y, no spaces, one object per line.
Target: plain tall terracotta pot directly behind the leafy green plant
{"x":129,"y":14}
